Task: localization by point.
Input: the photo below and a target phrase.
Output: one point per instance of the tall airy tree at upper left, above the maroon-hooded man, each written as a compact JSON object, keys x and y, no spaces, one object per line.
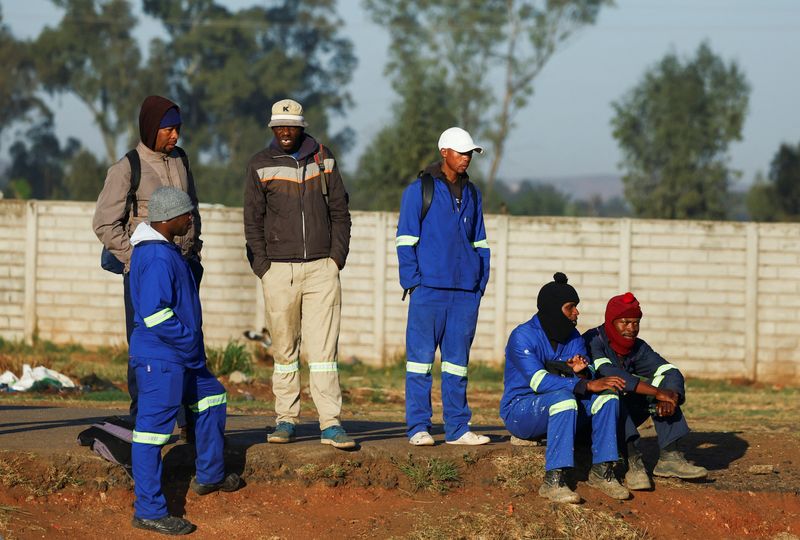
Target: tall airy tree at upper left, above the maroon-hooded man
{"x":92,"y":55}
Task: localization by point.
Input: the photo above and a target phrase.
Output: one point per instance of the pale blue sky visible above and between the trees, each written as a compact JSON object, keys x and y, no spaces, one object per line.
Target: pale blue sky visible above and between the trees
{"x":565,"y":129}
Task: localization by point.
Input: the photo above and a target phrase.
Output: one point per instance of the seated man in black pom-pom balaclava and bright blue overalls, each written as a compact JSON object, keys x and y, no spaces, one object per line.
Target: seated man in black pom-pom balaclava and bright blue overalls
{"x":542,"y":395}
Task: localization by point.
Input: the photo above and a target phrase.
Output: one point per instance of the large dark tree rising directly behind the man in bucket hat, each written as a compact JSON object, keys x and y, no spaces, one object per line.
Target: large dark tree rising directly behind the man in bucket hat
{"x":226,"y":69}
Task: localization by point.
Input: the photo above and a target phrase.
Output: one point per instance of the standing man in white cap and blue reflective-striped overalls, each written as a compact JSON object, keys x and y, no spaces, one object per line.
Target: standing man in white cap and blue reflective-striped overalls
{"x":444,"y":266}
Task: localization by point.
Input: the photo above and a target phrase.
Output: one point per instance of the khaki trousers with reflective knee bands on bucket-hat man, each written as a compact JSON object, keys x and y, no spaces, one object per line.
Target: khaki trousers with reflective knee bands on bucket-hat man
{"x":303,"y":306}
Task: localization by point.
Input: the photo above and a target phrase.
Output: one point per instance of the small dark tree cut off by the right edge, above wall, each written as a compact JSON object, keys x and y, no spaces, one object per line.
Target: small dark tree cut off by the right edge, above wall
{"x":777,"y":198}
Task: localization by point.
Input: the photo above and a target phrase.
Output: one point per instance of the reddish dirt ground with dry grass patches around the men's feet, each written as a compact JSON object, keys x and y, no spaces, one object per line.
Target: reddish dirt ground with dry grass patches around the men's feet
{"x":387,"y":489}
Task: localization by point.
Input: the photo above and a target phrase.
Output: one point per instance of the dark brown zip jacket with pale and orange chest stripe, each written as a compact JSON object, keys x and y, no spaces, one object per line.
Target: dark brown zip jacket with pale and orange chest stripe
{"x":285,"y":215}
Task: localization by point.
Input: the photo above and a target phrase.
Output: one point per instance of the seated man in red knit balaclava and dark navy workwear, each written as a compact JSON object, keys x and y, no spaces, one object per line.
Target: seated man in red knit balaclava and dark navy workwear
{"x":653,"y":387}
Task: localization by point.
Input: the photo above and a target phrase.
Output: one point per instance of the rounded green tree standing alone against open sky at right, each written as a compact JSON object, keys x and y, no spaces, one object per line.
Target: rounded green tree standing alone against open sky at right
{"x":674,"y":129}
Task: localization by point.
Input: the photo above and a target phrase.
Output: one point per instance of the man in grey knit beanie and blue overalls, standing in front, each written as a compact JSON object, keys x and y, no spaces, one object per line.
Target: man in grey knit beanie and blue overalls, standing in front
{"x":169,"y":359}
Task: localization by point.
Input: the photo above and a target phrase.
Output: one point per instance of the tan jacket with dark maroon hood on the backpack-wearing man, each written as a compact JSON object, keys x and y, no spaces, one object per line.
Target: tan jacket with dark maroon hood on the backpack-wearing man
{"x":158,"y":169}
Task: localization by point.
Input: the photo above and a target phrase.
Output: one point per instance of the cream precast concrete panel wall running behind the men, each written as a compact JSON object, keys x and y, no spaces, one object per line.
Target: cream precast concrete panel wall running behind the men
{"x":720,"y":299}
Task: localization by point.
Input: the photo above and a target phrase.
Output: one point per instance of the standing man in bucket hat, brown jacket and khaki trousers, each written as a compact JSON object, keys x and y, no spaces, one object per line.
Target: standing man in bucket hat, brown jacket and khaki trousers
{"x":297,"y":227}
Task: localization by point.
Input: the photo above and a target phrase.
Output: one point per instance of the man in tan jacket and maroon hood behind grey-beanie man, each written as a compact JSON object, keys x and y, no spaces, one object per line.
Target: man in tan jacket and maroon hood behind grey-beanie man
{"x":161,"y":165}
